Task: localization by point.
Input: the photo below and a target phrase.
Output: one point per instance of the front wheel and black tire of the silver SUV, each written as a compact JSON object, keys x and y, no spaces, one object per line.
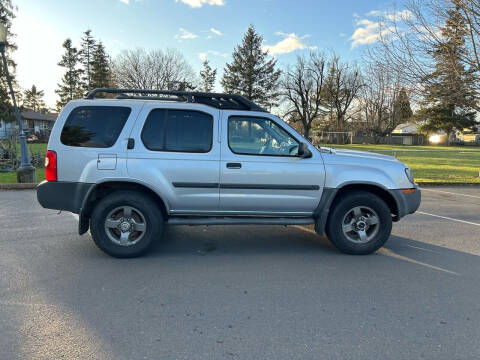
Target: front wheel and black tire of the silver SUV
{"x":345,"y":213}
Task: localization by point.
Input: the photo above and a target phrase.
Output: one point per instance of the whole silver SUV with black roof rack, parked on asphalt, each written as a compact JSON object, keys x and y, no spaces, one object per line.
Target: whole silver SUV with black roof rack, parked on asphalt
{"x":132,"y":164}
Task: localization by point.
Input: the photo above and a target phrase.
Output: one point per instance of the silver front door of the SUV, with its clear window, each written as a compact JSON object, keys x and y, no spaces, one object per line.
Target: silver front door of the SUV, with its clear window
{"x":261,"y":172}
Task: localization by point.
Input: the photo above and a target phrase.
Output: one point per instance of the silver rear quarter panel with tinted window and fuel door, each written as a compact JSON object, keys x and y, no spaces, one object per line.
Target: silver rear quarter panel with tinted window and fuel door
{"x":91,"y":144}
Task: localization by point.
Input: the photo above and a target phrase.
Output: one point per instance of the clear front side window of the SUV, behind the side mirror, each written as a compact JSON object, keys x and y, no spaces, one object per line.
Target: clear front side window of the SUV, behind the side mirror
{"x":259,"y":136}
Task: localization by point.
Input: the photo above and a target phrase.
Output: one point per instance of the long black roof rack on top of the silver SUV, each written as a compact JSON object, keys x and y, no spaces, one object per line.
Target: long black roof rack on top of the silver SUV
{"x":216,"y":100}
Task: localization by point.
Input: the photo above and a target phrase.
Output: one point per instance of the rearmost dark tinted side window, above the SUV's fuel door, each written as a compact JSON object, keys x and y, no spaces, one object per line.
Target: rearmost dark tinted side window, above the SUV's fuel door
{"x":94,"y":126}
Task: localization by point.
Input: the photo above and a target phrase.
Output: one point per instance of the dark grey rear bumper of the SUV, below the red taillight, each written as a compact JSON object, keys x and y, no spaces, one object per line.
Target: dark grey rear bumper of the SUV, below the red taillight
{"x":61,"y":195}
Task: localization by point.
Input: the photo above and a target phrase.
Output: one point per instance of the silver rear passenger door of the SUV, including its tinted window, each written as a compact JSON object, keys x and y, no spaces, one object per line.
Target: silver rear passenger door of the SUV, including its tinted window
{"x":176,"y":153}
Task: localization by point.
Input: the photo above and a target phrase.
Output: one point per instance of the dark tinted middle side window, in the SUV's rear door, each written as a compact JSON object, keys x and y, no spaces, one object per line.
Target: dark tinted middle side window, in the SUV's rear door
{"x":178,"y":130}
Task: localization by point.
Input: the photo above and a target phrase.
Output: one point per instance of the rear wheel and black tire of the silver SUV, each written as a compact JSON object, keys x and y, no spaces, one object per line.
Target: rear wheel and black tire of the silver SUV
{"x":144,"y":212}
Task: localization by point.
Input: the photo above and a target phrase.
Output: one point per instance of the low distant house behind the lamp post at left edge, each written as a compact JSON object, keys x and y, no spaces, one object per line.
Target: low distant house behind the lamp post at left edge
{"x":32,"y":121}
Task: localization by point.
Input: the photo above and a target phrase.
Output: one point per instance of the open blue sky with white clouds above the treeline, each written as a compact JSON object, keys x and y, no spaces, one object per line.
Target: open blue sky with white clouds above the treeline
{"x":198,"y":28}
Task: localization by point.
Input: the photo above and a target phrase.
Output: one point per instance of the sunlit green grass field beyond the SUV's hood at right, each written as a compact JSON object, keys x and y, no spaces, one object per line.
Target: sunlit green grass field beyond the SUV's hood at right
{"x":455,"y":164}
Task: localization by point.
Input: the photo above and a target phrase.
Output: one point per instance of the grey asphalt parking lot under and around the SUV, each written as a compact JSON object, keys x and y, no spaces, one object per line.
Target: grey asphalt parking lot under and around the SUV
{"x":246,"y":292}
